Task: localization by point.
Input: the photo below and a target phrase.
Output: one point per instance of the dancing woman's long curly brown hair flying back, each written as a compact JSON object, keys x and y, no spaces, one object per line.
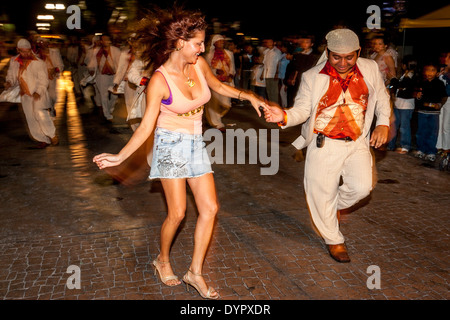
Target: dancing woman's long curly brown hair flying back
{"x":158,"y":32}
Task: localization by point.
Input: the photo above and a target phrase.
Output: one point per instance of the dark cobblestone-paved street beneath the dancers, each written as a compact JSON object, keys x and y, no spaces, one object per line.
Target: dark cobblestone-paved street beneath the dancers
{"x":59,"y":210}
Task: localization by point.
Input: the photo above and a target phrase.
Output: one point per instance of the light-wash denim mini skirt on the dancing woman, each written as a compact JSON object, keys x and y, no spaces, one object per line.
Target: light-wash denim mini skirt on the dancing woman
{"x":178,"y":155}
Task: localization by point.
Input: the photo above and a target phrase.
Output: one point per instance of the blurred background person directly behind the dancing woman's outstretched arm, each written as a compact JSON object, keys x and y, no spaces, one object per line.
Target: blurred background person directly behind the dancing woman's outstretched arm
{"x":222,"y":64}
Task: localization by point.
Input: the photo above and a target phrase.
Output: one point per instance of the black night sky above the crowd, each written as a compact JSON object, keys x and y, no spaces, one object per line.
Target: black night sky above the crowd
{"x":260,"y":19}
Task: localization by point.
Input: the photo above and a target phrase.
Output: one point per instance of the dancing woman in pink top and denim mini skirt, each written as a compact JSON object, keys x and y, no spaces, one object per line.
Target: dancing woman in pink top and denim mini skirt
{"x":179,"y":87}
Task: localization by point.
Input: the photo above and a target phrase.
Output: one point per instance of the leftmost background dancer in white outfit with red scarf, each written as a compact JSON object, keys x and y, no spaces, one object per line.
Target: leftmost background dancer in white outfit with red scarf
{"x":30,"y":73}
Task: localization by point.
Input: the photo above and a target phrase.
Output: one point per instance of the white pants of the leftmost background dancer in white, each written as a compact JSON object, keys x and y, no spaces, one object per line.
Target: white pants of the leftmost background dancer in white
{"x":38,"y":118}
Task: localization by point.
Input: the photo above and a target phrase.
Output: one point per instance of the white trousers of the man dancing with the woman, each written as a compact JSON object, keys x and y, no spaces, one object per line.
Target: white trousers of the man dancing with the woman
{"x":323,"y":169}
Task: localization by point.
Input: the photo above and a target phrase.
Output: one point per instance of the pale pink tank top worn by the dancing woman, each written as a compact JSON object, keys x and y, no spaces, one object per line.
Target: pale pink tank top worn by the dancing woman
{"x":179,"y":113}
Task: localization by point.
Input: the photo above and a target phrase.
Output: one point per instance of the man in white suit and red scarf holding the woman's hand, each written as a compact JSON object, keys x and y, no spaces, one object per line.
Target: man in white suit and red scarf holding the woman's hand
{"x":336,"y":104}
